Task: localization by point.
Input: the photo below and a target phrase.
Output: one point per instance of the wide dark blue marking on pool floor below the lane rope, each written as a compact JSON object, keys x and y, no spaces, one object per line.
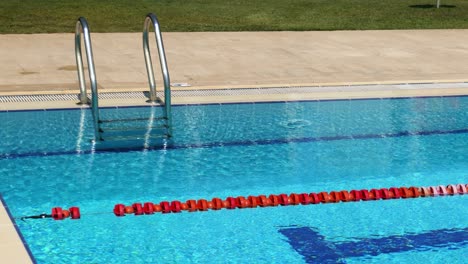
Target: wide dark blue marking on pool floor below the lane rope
{"x":315,"y":248}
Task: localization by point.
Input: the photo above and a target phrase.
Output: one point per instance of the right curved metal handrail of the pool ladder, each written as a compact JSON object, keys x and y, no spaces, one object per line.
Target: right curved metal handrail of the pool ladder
{"x":151,"y":19}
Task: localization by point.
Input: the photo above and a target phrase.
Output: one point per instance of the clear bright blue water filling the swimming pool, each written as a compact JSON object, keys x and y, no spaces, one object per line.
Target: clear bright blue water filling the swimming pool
{"x":47,"y":159}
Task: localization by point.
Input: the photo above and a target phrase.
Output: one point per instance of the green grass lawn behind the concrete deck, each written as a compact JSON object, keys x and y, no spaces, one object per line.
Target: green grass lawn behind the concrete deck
{"x":47,"y":16}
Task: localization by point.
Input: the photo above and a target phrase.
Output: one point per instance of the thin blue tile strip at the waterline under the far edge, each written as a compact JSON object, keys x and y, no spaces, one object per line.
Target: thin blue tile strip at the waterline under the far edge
{"x":234,"y":103}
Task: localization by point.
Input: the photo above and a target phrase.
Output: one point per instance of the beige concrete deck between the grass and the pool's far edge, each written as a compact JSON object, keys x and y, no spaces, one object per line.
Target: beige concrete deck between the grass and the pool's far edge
{"x":45,"y":63}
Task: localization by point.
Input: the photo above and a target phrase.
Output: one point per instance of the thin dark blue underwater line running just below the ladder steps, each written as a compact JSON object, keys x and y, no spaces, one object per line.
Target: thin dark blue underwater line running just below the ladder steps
{"x":237,"y":143}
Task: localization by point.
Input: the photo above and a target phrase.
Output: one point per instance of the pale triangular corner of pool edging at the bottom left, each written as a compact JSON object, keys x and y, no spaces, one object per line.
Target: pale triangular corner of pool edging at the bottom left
{"x":12,"y":243}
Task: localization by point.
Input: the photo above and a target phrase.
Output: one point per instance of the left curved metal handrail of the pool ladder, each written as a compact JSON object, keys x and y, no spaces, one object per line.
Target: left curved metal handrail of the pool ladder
{"x":82,"y":27}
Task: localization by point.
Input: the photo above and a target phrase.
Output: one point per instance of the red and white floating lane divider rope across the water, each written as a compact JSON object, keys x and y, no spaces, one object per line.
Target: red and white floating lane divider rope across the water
{"x":241,"y":202}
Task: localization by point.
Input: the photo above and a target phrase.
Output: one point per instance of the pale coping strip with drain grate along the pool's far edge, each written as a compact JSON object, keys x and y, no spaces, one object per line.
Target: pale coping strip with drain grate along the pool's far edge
{"x":316,"y":91}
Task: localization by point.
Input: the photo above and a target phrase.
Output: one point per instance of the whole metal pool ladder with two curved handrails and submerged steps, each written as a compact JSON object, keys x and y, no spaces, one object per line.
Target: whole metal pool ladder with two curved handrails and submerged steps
{"x":132,"y":128}
